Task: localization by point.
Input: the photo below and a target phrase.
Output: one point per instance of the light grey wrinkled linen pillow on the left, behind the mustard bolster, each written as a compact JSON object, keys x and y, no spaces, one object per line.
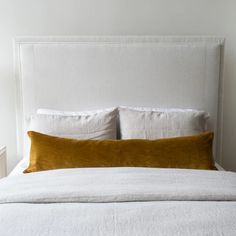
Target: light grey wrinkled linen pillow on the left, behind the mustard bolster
{"x":93,"y":125}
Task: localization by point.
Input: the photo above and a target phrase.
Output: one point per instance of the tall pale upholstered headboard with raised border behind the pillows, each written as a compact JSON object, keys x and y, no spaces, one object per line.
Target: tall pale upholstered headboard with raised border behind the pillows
{"x":83,"y":73}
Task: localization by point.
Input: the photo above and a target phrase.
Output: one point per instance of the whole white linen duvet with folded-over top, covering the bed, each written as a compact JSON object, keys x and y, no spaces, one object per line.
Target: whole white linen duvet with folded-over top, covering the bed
{"x":119,"y":201}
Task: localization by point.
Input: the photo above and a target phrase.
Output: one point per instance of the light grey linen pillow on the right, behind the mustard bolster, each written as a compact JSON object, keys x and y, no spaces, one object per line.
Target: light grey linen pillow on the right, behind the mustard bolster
{"x":138,"y":123}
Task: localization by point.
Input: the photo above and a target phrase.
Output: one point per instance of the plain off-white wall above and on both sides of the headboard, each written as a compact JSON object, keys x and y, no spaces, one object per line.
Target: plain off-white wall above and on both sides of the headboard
{"x":114,"y":17}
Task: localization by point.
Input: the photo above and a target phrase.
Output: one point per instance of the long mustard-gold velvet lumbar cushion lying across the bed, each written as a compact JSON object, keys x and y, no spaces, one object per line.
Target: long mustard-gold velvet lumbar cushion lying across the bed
{"x":48,"y":152}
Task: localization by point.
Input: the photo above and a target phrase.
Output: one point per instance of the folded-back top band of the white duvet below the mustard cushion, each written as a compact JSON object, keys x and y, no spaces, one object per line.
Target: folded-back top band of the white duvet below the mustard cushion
{"x":119,"y":185}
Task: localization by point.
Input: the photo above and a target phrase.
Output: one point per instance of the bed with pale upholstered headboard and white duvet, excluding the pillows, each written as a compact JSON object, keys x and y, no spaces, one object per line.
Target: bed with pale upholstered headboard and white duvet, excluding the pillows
{"x":86,"y":73}
